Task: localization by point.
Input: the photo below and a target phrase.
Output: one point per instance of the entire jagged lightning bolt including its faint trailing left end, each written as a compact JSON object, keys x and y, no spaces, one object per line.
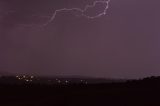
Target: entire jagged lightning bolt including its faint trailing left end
{"x":51,"y":18}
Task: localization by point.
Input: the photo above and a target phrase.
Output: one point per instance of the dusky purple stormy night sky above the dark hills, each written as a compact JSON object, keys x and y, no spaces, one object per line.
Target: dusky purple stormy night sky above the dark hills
{"x":124,"y":43}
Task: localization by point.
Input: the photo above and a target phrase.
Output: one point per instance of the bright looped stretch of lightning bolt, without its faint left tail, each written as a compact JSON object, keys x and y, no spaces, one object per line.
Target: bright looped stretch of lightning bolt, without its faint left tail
{"x":82,"y":11}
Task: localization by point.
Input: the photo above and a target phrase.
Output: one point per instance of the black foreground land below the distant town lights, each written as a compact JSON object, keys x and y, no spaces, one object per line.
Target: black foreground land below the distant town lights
{"x":134,"y":93}
